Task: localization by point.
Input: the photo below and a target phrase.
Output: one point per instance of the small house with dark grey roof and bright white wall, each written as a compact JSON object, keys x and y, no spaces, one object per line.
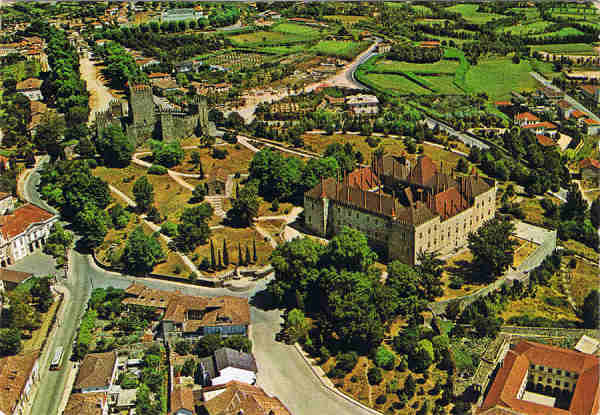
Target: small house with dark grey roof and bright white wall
{"x":226,"y":365}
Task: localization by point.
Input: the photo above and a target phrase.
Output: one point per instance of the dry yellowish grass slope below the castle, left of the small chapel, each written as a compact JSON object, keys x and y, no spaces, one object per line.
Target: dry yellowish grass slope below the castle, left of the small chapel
{"x":169,"y":197}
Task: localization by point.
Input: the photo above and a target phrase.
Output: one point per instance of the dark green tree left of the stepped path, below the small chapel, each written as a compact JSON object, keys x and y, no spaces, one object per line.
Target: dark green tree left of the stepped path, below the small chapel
{"x":193,"y":229}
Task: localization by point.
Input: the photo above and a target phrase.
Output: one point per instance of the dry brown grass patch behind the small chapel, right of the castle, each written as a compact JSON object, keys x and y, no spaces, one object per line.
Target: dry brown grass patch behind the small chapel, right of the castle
{"x":238,"y":160}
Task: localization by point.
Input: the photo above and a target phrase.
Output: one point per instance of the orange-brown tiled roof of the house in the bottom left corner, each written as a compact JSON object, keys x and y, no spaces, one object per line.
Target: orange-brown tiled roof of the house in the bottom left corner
{"x":14,"y":373}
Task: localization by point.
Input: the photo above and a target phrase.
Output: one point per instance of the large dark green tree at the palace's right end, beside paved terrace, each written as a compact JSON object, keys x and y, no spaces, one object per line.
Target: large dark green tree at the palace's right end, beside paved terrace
{"x":492,"y":248}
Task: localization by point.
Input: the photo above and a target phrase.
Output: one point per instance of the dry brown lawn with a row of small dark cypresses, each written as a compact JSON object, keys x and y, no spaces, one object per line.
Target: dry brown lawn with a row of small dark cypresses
{"x":235,"y":236}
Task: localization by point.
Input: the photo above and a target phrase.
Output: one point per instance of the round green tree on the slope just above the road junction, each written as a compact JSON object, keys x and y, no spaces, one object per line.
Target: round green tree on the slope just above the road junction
{"x":142,"y":252}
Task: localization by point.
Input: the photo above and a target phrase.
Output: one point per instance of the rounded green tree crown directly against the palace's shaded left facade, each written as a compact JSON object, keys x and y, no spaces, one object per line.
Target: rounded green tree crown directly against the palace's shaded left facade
{"x":350,"y":250}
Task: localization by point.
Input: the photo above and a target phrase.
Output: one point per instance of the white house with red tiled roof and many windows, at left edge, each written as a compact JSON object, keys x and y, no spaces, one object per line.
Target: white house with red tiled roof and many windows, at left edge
{"x":22,"y":231}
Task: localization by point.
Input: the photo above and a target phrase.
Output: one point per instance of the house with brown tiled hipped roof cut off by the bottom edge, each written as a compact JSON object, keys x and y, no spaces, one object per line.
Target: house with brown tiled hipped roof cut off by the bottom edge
{"x":236,"y":398}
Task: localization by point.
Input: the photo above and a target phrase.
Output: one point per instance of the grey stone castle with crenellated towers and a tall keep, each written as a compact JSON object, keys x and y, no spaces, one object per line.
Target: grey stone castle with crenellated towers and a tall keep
{"x":149,"y":117}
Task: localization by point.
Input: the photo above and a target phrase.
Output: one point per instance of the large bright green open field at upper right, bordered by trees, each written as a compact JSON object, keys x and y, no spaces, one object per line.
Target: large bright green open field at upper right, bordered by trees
{"x":498,"y":76}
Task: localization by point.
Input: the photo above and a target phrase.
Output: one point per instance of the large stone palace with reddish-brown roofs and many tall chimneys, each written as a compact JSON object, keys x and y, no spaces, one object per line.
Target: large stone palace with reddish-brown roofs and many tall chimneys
{"x":434,"y":210}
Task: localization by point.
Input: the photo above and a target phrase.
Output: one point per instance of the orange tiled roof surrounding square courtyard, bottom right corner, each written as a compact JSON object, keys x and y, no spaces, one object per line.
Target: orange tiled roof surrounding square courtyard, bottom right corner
{"x":508,"y":380}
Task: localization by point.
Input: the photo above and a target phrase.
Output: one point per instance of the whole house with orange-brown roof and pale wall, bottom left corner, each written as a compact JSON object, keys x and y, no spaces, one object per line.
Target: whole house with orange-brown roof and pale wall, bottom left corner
{"x":18,"y":374}
